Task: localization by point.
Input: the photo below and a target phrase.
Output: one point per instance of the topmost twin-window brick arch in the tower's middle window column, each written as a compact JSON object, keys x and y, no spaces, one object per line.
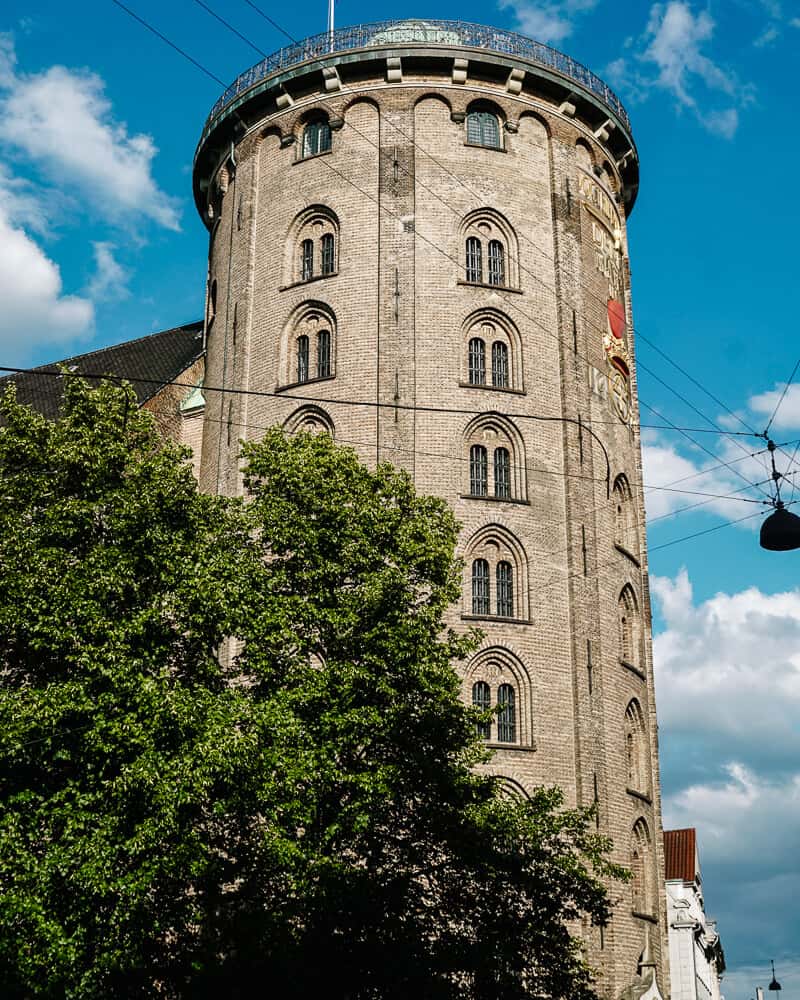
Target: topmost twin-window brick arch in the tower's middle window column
{"x":490,"y":249}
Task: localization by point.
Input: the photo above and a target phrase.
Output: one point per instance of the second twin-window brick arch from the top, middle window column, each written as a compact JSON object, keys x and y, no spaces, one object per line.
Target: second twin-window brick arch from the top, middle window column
{"x":492,"y":351}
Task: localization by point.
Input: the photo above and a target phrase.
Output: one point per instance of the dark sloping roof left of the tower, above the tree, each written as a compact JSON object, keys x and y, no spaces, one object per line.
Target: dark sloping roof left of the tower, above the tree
{"x":148,"y":364}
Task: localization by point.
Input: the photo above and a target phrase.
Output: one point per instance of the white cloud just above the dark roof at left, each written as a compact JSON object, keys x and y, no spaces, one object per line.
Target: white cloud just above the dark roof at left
{"x":35,"y":310}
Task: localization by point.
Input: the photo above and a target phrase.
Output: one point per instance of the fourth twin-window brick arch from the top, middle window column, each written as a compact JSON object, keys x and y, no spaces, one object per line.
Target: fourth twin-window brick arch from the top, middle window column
{"x":496,"y":575}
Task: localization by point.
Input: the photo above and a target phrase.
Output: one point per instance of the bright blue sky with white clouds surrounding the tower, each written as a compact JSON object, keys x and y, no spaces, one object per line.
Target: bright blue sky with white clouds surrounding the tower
{"x":99,"y":242}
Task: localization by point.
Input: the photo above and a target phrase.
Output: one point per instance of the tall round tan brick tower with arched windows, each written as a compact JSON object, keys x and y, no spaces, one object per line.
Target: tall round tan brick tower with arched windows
{"x":418,"y":244}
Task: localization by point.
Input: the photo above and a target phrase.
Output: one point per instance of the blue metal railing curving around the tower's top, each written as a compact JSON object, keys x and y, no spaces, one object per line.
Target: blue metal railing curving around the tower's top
{"x":405,"y":32}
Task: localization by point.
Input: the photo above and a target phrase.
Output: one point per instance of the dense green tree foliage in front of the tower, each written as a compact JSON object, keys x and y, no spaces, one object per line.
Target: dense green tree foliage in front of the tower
{"x":232,"y":749}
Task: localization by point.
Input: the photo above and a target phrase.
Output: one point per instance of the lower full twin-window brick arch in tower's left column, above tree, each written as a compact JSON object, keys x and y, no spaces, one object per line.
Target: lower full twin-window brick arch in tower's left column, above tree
{"x":308,"y":346}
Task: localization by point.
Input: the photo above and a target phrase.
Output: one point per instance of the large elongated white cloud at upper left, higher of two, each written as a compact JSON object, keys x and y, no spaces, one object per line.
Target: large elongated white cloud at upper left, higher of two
{"x":63,"y":121}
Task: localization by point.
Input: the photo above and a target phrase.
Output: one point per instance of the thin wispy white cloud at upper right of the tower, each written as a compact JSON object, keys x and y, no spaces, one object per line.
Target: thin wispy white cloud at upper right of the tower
{"x":672,"y":57}
